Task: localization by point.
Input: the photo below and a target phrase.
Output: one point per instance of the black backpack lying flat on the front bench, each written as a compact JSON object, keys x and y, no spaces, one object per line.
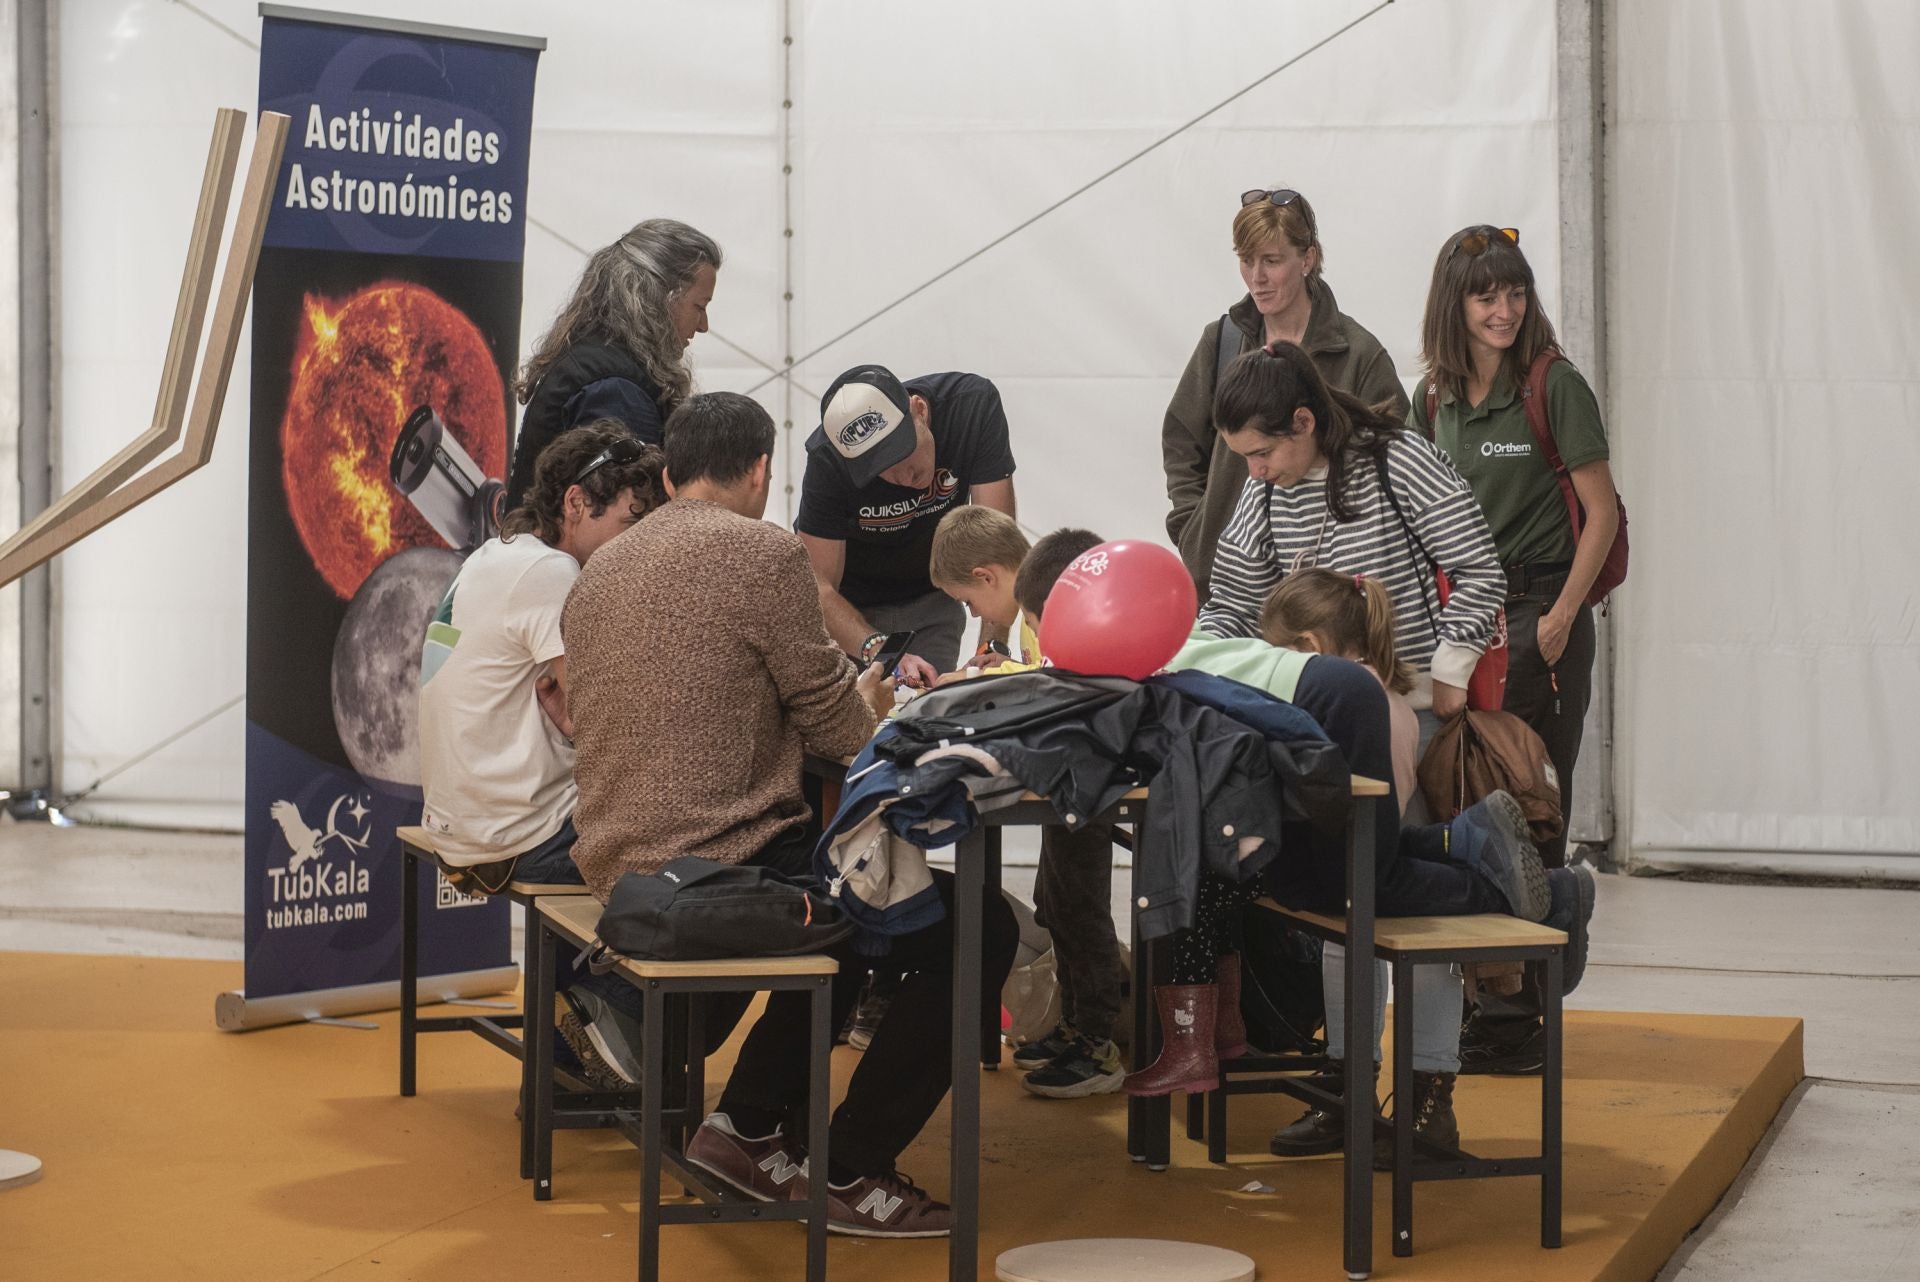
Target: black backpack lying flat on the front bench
{"x":694,"y":911}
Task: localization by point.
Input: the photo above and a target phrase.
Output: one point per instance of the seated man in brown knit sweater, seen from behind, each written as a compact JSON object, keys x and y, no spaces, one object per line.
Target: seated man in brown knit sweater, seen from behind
{"x":700,"y":671}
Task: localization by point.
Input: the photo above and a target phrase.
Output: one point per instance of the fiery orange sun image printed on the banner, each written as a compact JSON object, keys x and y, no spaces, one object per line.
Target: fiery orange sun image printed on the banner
{"x":360,"y":369}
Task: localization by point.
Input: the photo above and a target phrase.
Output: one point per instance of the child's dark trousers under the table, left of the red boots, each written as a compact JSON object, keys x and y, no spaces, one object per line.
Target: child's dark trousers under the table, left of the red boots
{"x":1074,"y":903}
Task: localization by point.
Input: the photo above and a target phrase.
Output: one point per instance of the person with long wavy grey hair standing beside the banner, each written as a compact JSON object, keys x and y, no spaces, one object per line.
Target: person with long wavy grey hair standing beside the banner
{"x":619,"y":348}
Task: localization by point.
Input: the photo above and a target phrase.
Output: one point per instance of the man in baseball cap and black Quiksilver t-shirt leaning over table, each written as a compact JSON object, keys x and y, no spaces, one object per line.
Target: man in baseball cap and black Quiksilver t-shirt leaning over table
{"x":886,"y":463}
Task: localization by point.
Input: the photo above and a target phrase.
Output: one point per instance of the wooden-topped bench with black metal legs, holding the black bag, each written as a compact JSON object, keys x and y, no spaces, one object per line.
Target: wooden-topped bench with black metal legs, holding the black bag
{"x":667,"y":1124}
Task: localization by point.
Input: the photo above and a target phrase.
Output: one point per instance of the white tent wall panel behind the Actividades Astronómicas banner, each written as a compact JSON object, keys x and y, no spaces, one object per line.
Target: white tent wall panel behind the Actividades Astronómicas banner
{"x":640,"y":110}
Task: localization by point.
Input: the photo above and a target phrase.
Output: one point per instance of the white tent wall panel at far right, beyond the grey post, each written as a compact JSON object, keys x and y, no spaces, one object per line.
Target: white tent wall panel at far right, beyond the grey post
{"x":1765,"y":166}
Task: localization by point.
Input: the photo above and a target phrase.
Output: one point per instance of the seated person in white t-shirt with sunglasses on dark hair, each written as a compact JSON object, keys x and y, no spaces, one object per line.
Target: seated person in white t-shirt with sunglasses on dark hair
{"x":496,"y":742}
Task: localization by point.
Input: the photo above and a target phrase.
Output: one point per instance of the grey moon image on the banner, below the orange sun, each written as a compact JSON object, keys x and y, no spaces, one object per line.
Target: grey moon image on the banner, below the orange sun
{"x":377,"y":663}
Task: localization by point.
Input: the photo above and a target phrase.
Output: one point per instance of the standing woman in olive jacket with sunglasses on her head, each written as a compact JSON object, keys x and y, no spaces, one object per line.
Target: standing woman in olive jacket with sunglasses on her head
{"x":1278,"y":243}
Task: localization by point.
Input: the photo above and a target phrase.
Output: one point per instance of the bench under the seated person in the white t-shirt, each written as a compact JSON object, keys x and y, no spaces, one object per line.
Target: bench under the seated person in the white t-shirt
{"x":506,"y":1032}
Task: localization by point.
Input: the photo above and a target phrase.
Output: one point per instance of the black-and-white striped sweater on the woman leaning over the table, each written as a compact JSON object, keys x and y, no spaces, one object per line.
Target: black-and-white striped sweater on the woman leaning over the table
{"x":1272,"y":525}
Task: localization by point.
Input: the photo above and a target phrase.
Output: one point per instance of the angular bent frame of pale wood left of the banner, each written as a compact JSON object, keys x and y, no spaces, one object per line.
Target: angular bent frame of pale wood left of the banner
{"x":108,"y":492}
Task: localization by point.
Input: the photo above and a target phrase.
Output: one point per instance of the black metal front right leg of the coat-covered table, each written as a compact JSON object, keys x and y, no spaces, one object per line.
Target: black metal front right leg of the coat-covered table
{"x":1358,"y":1158}
